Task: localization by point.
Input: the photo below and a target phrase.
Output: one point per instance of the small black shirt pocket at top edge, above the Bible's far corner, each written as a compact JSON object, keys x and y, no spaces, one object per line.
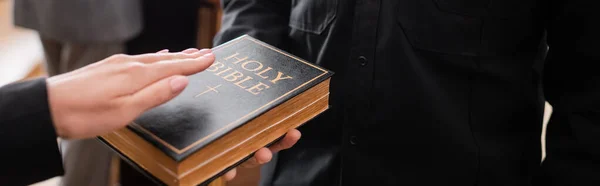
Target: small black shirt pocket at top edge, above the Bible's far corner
{"x":312,"y":16}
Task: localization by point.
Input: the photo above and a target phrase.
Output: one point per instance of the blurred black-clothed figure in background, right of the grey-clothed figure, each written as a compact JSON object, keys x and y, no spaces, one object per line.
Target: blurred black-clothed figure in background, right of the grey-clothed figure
{"x":169,"y":25}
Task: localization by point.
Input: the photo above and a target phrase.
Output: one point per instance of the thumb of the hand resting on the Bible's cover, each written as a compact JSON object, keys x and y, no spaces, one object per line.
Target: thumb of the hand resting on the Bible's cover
{"x":158,"y":93}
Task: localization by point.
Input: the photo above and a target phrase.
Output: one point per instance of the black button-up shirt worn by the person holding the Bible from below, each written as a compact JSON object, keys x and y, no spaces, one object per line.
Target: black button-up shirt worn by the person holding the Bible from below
{"x":438,"y":92}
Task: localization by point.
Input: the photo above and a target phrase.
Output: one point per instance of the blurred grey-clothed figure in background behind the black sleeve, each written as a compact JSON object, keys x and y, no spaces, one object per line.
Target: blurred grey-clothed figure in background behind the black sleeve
{"x":76,"y":33}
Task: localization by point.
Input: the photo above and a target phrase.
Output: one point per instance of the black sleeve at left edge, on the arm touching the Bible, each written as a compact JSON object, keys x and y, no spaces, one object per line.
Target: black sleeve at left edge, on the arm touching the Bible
{"x":27,"y":135}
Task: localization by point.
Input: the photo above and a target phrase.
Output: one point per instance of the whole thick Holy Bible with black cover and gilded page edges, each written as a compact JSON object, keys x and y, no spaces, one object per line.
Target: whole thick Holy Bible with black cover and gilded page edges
{"x":248,"y":98}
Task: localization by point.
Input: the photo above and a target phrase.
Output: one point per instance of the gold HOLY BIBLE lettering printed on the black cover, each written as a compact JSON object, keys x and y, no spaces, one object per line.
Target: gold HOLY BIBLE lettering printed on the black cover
{"x":223,"y":68}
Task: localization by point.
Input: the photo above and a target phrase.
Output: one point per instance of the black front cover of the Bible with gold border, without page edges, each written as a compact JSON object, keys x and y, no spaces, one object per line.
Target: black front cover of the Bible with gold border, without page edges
{"x":247,"y":78}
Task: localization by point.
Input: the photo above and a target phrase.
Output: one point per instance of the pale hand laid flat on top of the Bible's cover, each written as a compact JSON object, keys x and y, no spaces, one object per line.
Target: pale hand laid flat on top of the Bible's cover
{"x":109,"y":94}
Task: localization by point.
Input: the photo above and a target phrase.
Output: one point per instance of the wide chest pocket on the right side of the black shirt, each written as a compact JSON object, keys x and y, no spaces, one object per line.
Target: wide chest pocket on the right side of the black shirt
{"x":468,"y":27}
